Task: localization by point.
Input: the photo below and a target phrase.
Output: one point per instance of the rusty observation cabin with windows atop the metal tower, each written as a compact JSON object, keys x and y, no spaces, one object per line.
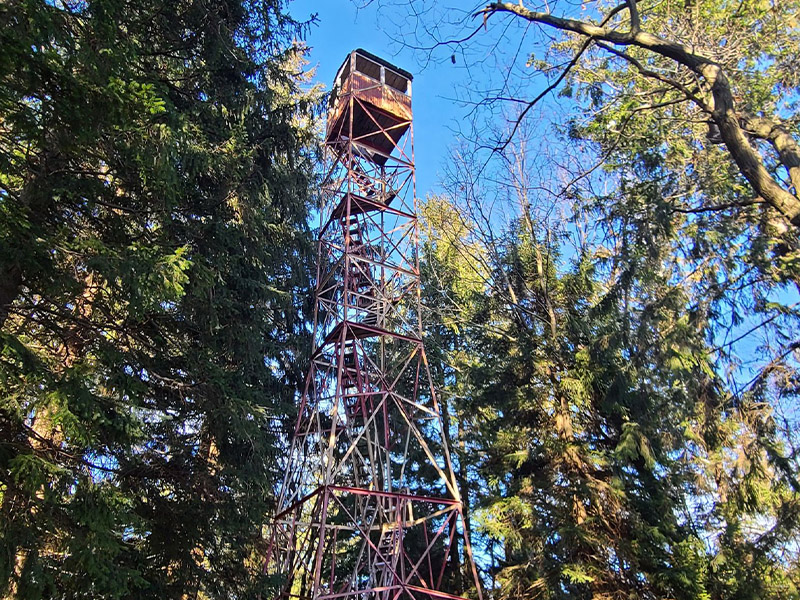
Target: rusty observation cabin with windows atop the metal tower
{"x":370,"y":105}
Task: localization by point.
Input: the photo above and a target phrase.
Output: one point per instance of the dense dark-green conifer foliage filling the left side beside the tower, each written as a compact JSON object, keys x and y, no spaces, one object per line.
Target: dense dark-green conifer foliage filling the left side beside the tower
{"x":155,"y":167}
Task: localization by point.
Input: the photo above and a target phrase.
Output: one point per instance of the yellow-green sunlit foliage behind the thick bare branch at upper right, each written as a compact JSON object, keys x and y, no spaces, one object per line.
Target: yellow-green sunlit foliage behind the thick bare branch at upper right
{"x":657,"y":114}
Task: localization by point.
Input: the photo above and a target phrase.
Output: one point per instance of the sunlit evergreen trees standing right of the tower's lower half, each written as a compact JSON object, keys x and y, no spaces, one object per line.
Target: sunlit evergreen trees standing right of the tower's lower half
{"x":612,"y":462}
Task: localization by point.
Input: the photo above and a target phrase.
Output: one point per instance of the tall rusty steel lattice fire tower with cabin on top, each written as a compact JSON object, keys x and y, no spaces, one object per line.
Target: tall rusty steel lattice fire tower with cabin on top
{"x":369,"y":507}
